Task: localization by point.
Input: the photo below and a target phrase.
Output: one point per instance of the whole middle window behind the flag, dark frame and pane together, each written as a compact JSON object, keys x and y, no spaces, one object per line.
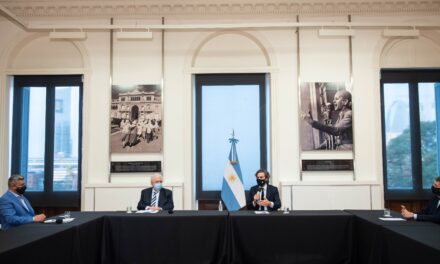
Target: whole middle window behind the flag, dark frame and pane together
{"x":225,"y":102}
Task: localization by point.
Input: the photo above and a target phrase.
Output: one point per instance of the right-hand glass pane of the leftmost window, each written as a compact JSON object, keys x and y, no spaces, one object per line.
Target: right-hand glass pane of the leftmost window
{"x":65,"y":171}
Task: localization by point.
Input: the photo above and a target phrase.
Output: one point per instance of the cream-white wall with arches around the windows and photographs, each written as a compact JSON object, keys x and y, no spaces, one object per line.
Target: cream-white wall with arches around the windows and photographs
{"x":199,"y":51}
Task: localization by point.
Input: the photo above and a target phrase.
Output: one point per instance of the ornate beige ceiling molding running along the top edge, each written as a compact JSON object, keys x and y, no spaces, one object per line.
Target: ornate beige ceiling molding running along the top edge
{"x":142,"y":8}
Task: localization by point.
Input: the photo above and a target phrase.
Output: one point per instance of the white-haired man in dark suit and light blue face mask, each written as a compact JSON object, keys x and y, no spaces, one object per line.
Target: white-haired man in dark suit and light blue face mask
{"x":156,"y":197}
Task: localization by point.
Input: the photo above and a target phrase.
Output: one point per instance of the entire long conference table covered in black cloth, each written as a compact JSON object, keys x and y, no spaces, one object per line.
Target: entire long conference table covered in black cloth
{"x":351,"y":236}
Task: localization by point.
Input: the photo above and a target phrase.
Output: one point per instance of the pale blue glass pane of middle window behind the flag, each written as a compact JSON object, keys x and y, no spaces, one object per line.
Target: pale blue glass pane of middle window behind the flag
{"x":225,"y":108}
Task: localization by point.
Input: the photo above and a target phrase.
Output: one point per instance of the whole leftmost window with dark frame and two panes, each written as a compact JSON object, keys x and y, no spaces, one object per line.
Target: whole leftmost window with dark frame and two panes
{"x":47,"y":138}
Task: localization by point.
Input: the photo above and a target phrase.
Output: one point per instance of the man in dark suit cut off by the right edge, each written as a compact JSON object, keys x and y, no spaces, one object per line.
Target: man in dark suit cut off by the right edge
{"x":432,"y":211}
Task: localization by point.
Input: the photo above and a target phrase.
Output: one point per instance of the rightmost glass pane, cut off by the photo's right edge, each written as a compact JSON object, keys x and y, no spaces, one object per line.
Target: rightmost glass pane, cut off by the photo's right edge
{"x":428,"y":132}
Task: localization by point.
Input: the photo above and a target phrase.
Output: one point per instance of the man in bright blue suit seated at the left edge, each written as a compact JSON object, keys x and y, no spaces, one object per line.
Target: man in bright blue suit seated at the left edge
{"x":15,"y":209}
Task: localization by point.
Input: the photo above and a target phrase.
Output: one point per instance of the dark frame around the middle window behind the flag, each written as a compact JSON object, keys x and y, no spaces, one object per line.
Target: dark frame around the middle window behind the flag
{"x":259,"y":79}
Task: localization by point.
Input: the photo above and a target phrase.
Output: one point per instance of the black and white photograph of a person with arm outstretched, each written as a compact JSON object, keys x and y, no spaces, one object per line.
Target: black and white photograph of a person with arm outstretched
{"x":325,"y":116}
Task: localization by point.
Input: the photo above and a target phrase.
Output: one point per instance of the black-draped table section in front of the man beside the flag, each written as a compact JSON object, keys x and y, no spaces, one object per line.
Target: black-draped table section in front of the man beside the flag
{"x":297,"y":237}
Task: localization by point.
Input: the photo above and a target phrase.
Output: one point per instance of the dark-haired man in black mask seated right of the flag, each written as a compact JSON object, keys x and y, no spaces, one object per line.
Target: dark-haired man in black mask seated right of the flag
{"x":263,"y":196}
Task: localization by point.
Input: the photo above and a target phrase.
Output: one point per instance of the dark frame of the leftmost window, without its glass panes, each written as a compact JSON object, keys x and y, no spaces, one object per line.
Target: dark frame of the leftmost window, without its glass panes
{"x":47,"y":197}
